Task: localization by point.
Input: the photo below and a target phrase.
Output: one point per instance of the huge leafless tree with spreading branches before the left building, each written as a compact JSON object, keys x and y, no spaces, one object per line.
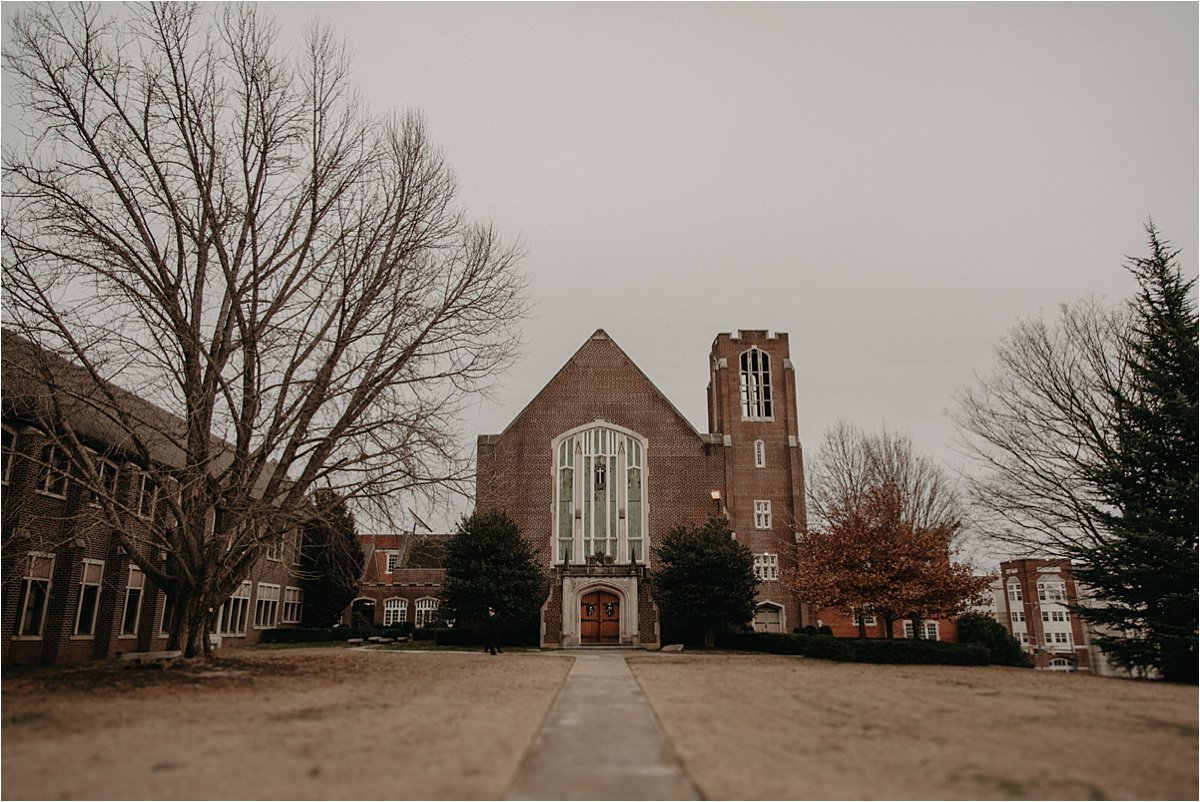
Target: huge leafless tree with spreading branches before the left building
{"x":229,"y":234}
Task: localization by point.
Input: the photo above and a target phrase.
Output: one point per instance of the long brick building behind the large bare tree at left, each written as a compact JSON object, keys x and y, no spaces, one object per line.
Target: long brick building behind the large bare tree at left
{"x":71,"y":592}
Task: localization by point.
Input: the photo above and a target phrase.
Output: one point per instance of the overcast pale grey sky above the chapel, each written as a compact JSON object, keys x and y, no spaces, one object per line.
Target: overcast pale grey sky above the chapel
{"x":892,"y":184}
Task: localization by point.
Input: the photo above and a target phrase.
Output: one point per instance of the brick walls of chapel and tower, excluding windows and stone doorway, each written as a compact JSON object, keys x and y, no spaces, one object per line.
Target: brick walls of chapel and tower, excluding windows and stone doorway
{"x":683,"y":468}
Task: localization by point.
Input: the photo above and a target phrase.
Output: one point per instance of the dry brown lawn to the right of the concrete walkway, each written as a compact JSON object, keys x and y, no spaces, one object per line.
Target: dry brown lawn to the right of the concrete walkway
{"x":785,"y":728}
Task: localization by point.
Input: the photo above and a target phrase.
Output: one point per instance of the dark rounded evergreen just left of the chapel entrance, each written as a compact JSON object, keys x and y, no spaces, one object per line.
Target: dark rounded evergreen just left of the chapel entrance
{"x":489,"y":565}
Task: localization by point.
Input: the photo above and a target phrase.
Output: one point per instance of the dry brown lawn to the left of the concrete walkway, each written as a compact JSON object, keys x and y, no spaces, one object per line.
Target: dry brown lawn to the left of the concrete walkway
{"x":287,"y":725}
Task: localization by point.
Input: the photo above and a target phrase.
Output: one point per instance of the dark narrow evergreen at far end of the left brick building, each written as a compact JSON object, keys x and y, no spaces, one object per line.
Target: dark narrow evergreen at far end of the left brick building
{"x":332,"y":560}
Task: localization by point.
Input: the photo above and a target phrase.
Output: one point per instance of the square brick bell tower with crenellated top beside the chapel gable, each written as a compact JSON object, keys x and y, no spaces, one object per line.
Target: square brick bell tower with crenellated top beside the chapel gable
{"x":752,"y":406}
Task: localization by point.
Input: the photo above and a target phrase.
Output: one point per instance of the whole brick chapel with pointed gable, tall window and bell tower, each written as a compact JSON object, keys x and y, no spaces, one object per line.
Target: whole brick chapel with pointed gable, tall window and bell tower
{"x":601,"y":466}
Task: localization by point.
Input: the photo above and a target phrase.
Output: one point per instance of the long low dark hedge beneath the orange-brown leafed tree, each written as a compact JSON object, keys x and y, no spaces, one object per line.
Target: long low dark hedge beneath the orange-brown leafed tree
{"x":856,"y":650}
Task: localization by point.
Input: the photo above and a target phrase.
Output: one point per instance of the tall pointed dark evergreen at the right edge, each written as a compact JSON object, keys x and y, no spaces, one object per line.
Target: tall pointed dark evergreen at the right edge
{"x":1144,"y":572}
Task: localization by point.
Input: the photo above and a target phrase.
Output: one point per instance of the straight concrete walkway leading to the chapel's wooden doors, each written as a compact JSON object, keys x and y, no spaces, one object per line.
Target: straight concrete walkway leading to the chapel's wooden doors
{"x":601,"y":741}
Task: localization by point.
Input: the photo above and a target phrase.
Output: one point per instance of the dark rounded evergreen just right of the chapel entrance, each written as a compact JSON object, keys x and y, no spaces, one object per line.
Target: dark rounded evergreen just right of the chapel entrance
{"x":705,"y":579}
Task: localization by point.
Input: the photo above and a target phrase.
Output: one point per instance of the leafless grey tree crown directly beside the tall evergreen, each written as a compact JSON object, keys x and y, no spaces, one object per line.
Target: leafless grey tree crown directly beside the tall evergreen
{"x":1042,"y":424}
